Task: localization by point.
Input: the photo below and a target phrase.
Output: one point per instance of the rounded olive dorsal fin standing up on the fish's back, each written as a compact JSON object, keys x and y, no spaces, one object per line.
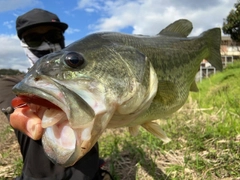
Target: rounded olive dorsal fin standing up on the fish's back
{"x":179,"y":28}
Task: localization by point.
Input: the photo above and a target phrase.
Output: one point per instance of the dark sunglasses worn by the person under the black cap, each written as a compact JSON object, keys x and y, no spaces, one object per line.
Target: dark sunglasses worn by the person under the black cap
{"x":36,"y":39}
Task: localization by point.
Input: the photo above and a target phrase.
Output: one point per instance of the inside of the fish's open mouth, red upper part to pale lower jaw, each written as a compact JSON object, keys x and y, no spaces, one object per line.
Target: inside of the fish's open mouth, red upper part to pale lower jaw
{"x":59,"y":139}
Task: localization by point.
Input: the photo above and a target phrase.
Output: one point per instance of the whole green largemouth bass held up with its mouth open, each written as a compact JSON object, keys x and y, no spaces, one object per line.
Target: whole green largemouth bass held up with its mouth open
{"x":111,"y":80}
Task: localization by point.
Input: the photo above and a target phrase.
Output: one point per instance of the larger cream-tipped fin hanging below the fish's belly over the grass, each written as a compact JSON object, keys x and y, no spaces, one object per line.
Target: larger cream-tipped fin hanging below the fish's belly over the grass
{"x":156,"y":130}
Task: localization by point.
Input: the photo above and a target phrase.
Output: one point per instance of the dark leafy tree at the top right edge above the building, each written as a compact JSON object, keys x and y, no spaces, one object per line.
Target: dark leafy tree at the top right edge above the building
{"x":231,"y":25}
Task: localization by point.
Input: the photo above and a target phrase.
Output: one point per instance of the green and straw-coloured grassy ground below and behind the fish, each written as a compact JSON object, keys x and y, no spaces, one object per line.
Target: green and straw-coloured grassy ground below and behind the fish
{"x":205,"y":136}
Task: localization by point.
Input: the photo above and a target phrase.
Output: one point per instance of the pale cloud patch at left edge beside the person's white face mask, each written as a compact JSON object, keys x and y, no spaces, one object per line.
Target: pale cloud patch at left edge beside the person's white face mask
{"x":11,"y":54}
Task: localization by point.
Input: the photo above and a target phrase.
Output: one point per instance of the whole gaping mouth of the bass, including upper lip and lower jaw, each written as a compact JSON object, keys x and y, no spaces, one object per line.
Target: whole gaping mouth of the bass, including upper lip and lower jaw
{"x":66,"y":136}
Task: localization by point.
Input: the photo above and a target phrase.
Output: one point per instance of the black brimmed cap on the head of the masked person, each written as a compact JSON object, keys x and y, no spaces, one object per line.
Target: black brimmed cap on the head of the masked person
{"x":37,"y":17}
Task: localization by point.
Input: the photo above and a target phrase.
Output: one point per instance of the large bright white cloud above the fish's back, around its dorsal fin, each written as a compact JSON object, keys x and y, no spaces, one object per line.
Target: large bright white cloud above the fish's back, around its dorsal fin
{"x":150,"y":16}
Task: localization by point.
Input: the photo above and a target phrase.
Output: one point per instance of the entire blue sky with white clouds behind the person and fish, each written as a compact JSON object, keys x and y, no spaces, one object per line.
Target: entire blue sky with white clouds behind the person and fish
{"x":87,"y":16}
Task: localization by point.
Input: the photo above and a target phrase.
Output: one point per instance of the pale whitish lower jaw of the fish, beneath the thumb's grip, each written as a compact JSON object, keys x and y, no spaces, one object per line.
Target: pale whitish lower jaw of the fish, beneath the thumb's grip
{"x":63,"y":144}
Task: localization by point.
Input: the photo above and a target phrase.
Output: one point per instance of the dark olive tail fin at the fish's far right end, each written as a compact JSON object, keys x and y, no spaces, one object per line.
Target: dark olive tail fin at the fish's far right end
{"x":213,"y":38}
